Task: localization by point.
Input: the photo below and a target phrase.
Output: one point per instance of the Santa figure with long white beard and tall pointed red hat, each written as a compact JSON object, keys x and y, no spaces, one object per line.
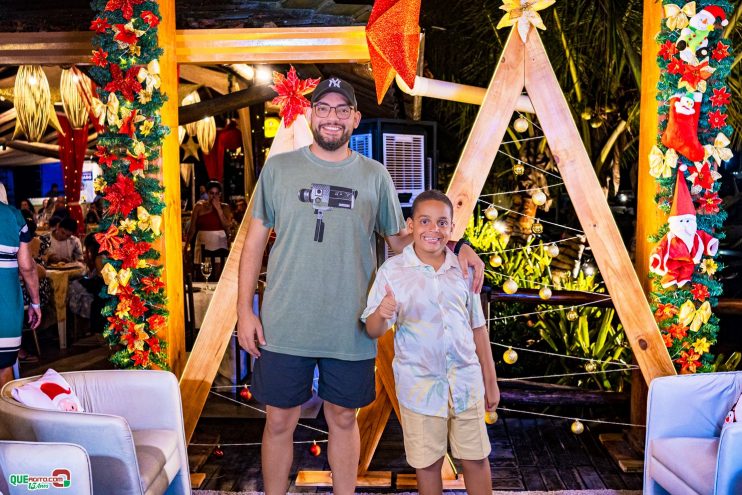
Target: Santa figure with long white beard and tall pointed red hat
{"x":678,"y":253}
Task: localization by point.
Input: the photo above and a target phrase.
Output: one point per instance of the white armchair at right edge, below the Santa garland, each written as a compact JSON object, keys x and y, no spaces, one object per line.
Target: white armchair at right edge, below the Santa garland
{"x":686,"y":451}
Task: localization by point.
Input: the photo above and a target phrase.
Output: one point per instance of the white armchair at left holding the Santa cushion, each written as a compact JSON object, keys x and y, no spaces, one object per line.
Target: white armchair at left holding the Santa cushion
{"x":132,"y":429}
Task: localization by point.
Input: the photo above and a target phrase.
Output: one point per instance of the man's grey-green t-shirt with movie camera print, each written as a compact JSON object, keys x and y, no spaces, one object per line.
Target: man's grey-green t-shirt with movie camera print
{"x":325,"y":216}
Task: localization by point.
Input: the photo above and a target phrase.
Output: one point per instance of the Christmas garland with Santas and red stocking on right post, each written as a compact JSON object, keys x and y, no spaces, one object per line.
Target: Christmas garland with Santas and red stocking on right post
{"x":693,"y":140}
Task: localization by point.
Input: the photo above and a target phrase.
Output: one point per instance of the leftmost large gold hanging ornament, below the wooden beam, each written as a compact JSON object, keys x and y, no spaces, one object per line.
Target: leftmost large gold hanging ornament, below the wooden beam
{"x":33,"y":103}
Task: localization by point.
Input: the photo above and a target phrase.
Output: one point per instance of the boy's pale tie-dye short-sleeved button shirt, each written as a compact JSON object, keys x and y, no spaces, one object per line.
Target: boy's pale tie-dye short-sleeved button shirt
{"x":435,"y":359}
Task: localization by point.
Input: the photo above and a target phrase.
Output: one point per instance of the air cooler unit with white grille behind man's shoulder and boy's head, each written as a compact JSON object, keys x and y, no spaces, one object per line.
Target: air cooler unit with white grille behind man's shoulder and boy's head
{"x":406,"y":148}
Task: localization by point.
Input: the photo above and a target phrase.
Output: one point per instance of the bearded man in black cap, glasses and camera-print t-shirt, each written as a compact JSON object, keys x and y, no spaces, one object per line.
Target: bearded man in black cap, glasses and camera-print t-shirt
{"x":326,"y":204}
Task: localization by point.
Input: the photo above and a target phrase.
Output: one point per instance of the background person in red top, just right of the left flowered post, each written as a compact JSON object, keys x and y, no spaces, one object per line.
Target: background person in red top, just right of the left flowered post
{"x":210,"y":225}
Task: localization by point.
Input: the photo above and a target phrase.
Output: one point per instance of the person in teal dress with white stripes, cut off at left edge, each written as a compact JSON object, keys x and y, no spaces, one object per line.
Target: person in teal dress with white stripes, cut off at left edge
{"x":15,"y":259}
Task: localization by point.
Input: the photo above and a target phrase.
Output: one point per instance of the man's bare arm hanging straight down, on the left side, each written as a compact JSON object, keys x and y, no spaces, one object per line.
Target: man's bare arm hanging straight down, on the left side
{"x":249,"y":328}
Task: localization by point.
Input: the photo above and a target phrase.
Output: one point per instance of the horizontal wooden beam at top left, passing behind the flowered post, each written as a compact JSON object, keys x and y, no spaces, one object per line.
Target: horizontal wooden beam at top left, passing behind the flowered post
{"x":342,"y":44}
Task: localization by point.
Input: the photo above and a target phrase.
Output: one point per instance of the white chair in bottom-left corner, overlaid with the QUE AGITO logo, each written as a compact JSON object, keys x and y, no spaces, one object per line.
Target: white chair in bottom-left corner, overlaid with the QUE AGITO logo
{"x":67,"y":461}
